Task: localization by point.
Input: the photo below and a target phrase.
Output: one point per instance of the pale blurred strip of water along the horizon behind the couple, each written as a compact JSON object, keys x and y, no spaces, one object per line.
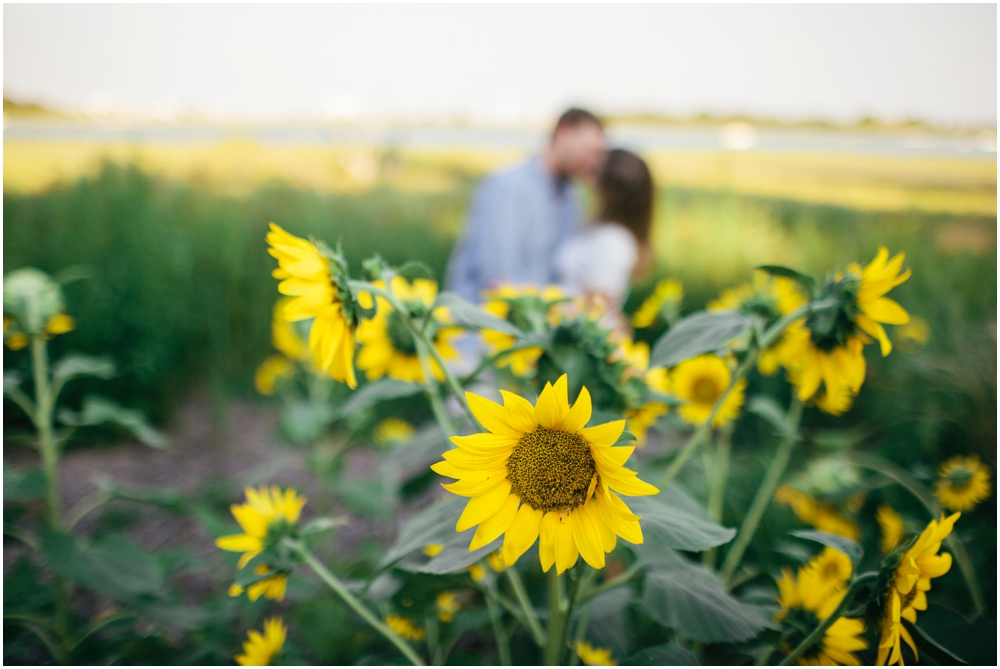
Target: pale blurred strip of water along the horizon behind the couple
{"x":914,"y":144}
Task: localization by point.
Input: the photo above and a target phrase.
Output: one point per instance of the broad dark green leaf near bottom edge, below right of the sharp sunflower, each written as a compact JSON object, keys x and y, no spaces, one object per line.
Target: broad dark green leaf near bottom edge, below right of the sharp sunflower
{"x":693,"y":602}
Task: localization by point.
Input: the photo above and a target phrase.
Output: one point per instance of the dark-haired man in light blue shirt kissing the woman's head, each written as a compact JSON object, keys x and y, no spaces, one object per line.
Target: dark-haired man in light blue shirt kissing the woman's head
{"x":519,"y":216}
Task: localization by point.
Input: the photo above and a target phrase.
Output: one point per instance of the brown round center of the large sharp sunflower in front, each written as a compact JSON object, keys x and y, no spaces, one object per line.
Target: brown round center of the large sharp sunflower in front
{"x":551,"y":469}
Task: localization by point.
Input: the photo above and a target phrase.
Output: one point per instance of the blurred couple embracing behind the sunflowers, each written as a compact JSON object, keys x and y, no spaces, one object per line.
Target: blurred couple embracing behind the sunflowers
{"x":525,"y":224}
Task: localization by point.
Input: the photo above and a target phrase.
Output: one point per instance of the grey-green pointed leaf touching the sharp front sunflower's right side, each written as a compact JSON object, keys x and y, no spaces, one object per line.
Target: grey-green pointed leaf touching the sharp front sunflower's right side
{"x":666,"y":524}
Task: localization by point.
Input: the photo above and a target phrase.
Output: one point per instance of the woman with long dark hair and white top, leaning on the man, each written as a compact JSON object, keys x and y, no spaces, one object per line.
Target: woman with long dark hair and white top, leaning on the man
{"x":600,"y":261}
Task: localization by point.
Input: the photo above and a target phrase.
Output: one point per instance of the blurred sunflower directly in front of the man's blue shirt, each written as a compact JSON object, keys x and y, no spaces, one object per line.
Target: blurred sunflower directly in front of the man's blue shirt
{"x":502,"y":303}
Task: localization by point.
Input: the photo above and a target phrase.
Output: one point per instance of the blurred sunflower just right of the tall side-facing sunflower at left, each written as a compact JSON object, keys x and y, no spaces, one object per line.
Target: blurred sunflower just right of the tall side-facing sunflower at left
{"x":388,"y":346}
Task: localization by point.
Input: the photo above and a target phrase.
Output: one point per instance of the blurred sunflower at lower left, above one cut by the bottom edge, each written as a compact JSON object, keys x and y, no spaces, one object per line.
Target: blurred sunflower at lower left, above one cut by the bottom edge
{"x":265,"y":514}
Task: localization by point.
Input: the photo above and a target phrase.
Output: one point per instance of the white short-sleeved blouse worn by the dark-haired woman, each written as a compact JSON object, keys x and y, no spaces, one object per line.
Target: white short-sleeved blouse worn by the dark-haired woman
{"x":598,"y":259}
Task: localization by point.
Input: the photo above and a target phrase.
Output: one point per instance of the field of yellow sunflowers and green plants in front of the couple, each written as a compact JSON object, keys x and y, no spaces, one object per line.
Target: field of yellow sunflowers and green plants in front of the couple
{"x":784,"y":462}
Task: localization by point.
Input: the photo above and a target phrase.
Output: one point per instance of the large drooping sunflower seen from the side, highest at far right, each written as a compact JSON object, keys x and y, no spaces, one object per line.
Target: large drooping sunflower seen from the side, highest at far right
{"x":827,"y":346}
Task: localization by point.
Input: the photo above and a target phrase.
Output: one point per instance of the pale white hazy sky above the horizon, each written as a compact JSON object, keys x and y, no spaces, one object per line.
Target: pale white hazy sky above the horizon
{"x":508,"y":64}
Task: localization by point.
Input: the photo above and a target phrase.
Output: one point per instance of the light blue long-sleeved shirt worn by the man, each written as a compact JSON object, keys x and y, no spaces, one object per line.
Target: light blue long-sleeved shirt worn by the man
{"x":517,"y":219}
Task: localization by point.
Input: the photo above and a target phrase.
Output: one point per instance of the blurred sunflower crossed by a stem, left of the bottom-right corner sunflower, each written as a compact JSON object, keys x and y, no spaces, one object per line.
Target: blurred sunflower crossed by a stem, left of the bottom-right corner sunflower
{"x":809,"y":598}
